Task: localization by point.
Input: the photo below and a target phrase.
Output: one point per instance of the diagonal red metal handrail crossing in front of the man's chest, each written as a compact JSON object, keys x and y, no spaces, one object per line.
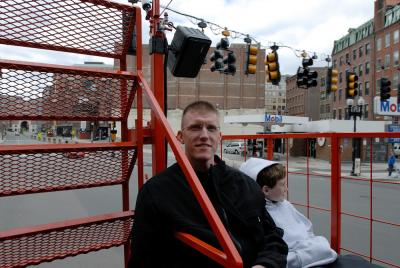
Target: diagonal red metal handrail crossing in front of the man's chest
{"x":231,"y":257}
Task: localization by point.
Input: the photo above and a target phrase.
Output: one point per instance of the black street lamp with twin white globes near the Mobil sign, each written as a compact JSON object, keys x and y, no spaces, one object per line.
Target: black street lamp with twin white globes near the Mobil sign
{"x":355,"y":110}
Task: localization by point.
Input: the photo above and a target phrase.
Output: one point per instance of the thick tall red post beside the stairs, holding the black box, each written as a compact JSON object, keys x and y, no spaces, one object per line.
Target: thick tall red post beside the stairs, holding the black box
{"x":157,"y":86}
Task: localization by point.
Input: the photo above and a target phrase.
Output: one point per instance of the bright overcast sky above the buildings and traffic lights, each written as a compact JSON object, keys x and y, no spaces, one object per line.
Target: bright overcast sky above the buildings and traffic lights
{"x":310,"y":25}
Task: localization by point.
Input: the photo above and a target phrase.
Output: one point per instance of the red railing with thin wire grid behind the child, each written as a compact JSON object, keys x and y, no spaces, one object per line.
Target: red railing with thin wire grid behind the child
{"x":336,"y":179}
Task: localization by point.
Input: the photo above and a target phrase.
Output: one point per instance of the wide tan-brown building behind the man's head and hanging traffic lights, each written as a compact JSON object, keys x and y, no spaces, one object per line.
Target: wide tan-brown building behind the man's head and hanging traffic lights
{"x":226,"y":92}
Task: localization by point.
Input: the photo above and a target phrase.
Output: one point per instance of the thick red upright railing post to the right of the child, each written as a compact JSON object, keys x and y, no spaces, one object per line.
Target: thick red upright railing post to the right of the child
{"x":335,"y":194}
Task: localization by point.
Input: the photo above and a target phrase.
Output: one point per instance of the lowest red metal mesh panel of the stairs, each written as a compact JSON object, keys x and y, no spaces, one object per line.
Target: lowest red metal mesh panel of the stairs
{"x":53,"y":244}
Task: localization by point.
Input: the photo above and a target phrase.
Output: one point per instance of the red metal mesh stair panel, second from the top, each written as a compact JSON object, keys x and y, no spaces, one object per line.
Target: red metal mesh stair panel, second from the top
{"x":51,"y":92}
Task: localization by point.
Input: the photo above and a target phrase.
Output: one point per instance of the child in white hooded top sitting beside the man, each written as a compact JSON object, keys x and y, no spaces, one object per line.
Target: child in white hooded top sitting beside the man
{"x":305,"y":249}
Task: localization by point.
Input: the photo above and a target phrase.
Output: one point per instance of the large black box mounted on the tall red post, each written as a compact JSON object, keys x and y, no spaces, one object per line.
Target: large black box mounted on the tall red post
{"x":187,"y":52}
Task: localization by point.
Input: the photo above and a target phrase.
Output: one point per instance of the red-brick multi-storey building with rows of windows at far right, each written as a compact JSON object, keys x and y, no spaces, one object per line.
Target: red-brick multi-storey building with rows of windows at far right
{"x":372,"y":52}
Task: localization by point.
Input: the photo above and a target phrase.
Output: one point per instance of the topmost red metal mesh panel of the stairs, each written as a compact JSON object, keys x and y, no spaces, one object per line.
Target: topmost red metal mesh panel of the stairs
{"x":93,"y":27}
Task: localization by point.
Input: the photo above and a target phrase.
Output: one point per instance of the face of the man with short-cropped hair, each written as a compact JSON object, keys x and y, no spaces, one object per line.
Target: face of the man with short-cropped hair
{"x":200,"y":134}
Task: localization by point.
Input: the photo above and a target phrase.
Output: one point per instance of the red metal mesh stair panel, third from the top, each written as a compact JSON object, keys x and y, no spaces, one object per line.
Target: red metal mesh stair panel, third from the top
{"x":51,"y":171}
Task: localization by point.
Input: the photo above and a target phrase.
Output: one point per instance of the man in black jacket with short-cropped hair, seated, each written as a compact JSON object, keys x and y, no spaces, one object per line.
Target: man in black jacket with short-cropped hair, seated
{"x":166,"y":205}
